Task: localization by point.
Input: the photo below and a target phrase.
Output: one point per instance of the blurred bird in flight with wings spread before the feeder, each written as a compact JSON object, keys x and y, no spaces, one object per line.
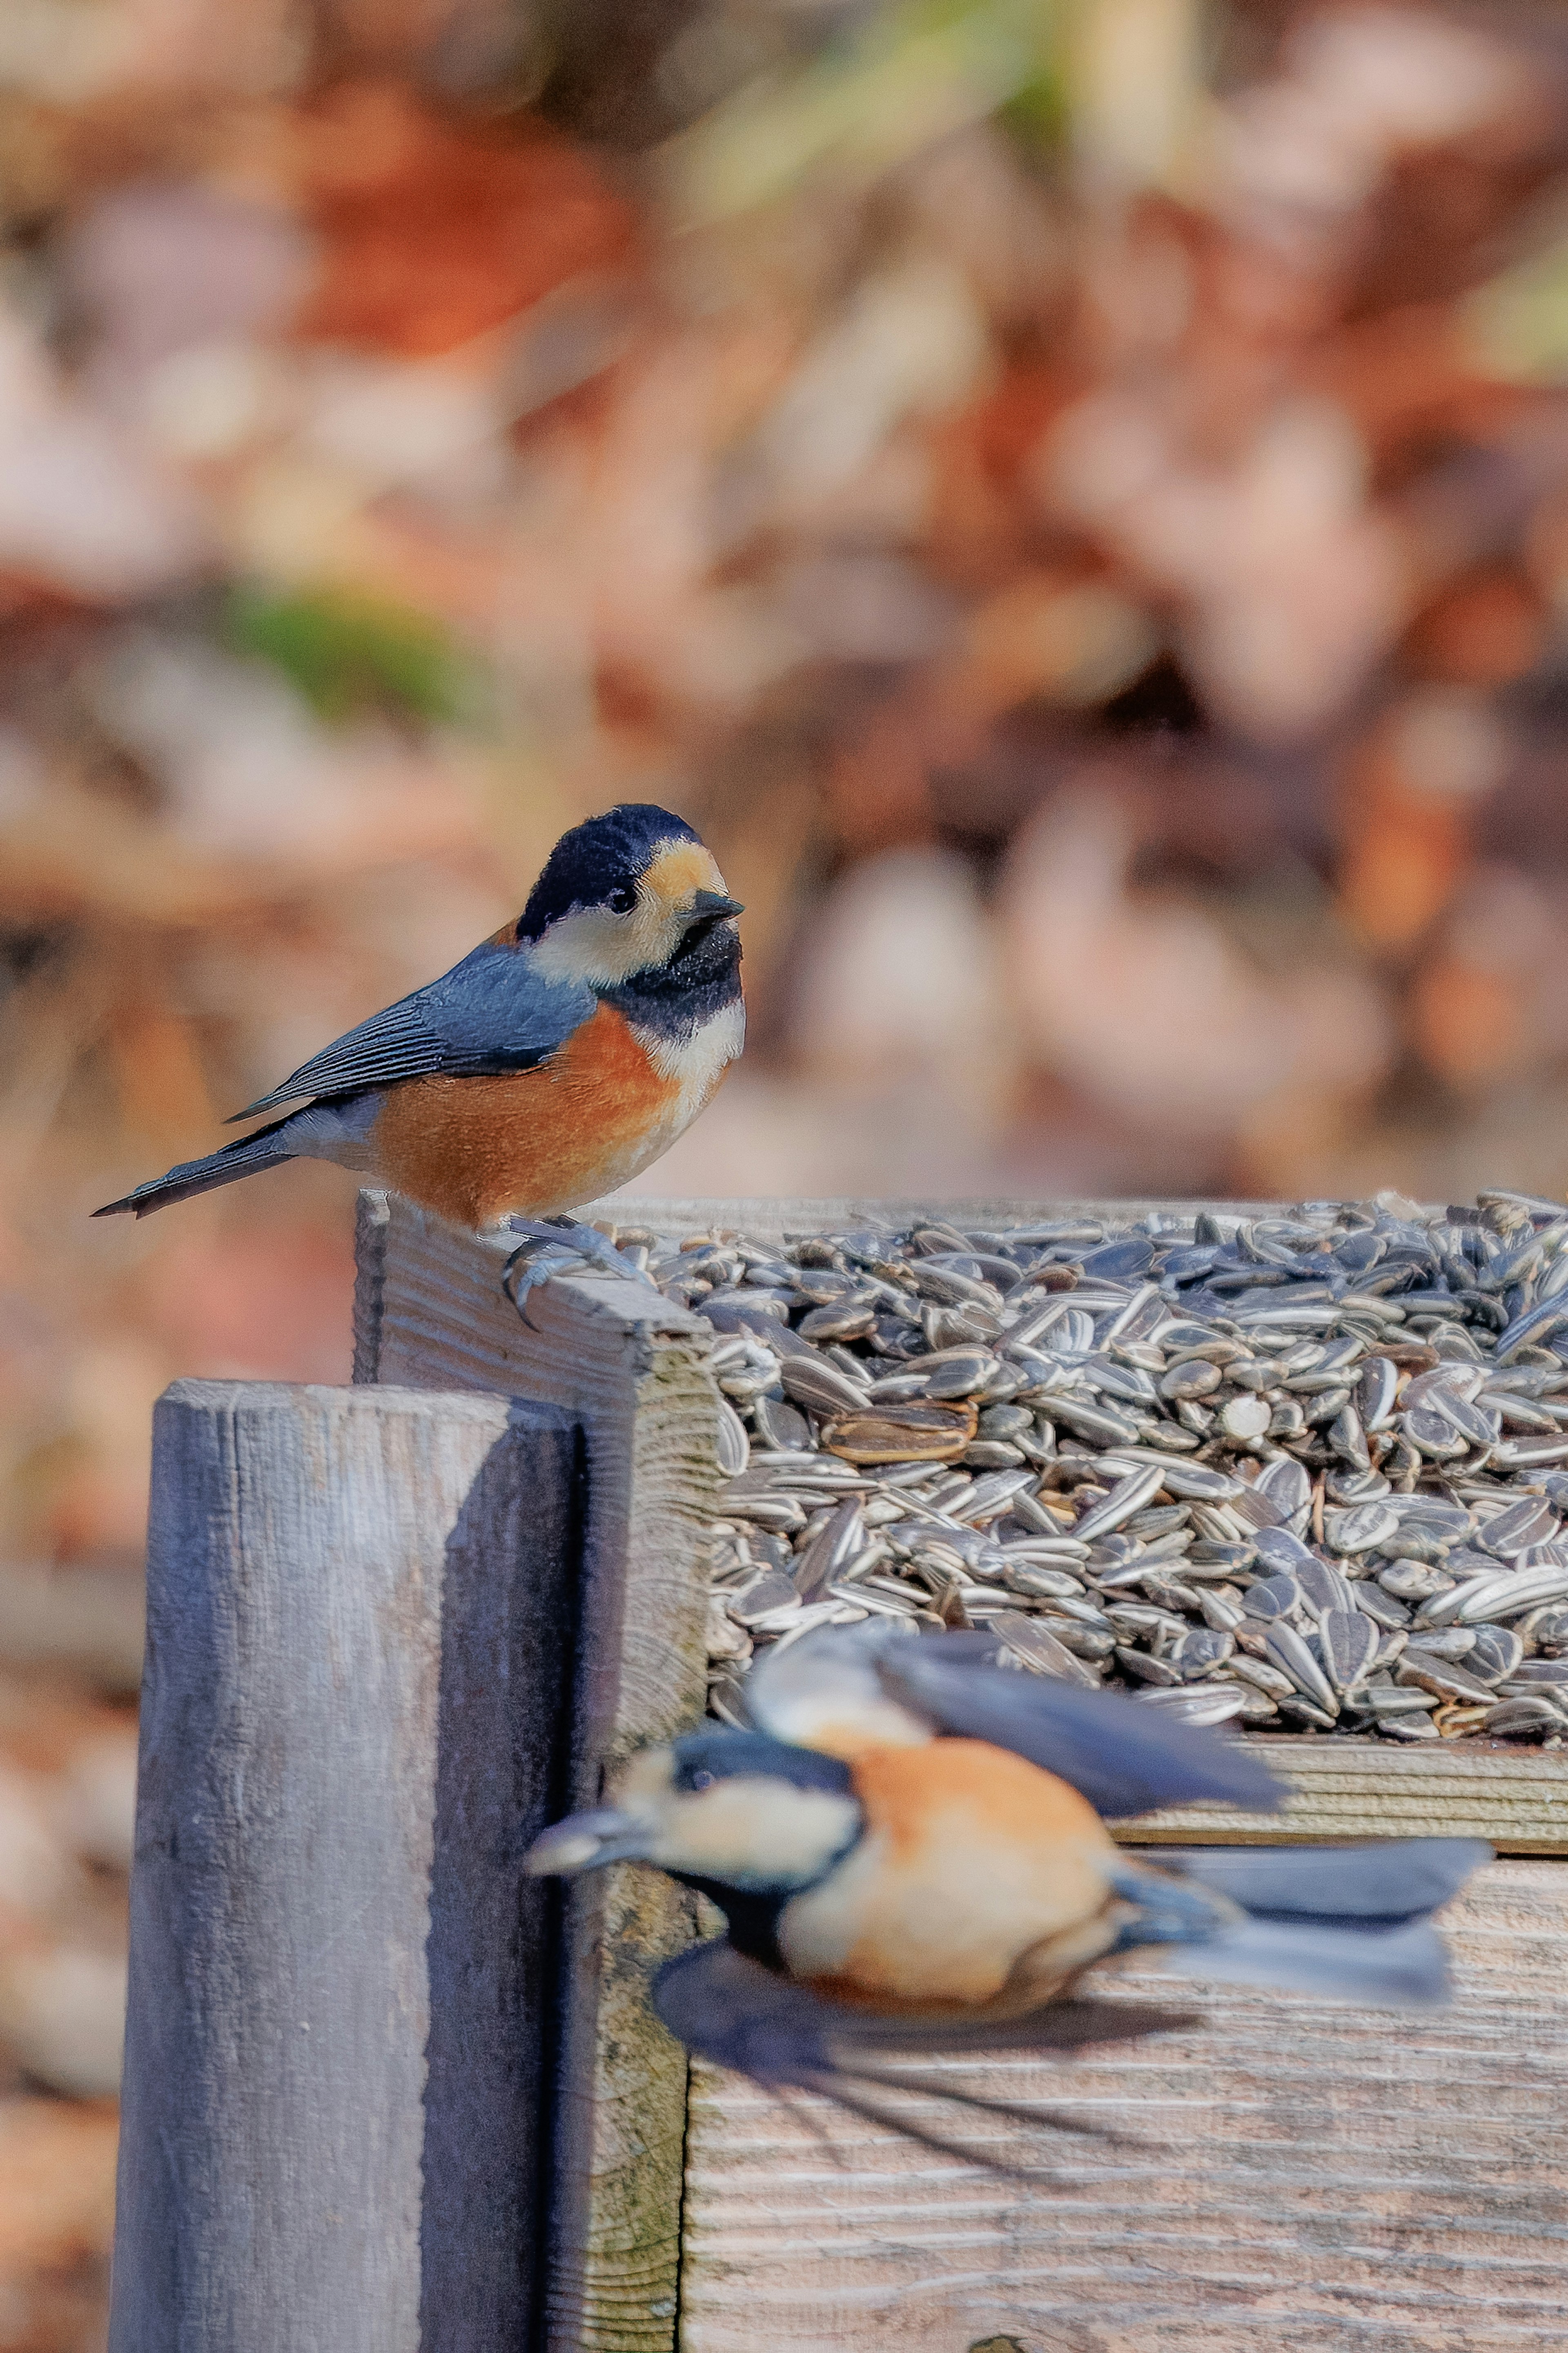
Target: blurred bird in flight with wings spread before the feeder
{"x":911,"y":1853}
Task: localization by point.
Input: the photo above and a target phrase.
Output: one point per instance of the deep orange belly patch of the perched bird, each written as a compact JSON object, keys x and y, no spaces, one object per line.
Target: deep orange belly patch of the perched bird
{"x":530,"y":1145}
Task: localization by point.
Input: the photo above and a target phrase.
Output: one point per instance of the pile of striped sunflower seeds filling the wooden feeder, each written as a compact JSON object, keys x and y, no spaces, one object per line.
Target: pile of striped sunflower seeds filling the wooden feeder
{"x":1304,"y":1472}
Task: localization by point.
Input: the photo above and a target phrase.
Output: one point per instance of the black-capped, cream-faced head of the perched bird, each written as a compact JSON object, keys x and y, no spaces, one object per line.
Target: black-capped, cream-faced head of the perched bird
{"x":634,"y":900}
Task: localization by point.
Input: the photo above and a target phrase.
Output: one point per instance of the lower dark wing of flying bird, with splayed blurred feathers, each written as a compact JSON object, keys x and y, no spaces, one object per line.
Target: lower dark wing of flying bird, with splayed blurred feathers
{"x":784,"y":2037}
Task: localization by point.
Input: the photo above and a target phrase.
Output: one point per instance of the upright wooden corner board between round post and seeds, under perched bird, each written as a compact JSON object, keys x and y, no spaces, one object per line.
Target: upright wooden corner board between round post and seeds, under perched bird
{"x":631,"y":1368}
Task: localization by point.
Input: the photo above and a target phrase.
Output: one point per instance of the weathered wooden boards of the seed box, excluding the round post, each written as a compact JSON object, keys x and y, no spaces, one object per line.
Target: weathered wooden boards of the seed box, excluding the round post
{"x":1329,"y":2175}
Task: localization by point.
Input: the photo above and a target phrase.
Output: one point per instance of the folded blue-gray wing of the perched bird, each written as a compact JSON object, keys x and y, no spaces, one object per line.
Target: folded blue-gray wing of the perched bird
{"x":490,"y":1015}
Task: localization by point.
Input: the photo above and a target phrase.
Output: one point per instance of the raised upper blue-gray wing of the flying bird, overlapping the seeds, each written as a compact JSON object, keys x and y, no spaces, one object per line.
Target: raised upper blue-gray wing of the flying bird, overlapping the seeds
{"x":1120,"y":1757}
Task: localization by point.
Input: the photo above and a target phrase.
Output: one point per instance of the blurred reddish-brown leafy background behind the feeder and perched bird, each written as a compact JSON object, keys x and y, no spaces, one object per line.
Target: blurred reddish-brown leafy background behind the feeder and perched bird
{"x":1068,"y":495}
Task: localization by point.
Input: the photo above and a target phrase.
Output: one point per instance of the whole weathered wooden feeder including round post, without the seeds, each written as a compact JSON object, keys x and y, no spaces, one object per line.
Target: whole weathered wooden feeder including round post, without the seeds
{"x":387,"y":2095}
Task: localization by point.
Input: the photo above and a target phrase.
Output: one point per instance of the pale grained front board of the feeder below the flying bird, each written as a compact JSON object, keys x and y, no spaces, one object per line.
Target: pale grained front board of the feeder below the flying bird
{"x":1311,"y":2178}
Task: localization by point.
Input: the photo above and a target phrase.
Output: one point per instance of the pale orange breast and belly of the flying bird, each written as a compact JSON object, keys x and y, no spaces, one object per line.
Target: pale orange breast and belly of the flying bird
{"x":972,"y":1860}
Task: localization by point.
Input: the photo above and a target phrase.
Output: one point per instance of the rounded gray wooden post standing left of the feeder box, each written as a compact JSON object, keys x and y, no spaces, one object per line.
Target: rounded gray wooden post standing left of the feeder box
{"x":361,"y":1632}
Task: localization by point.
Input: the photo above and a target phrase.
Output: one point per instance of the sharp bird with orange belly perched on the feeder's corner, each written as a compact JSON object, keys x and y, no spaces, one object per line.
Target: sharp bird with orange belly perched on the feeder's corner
{"x":549,"y":1067}
